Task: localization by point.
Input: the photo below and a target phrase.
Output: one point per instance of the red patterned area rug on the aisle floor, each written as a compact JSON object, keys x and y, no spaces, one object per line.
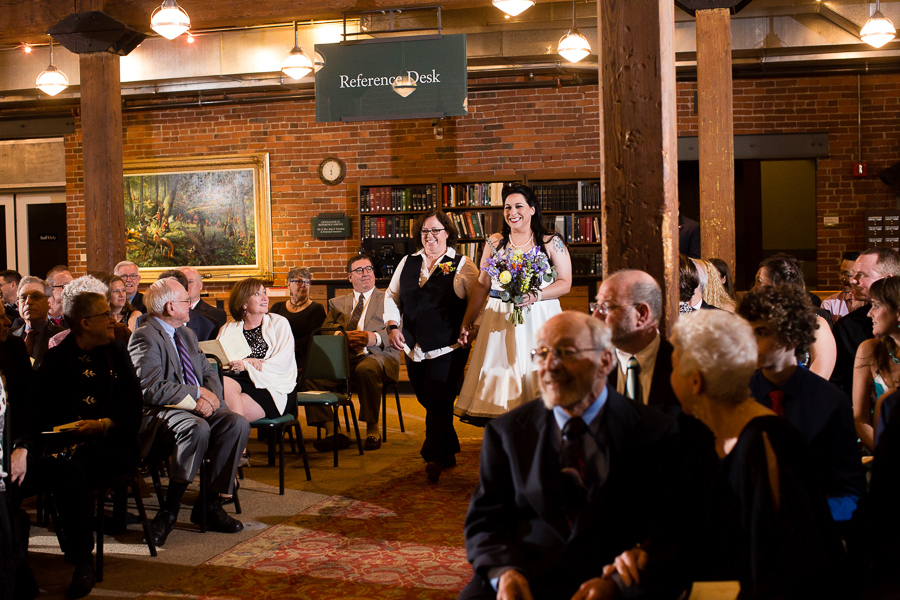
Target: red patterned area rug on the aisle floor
{"x":396,"y":536}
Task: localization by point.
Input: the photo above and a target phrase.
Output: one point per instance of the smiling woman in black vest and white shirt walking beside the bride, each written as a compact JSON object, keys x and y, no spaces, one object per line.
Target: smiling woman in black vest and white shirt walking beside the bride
{"x":431,"y":290}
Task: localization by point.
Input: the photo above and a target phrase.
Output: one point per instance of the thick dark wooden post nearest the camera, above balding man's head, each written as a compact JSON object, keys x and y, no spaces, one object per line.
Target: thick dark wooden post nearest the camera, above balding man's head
{"x":639,"y":140}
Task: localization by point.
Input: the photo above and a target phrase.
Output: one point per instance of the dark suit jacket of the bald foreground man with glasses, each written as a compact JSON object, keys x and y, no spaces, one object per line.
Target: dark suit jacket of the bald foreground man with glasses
{"x":515,"y":518}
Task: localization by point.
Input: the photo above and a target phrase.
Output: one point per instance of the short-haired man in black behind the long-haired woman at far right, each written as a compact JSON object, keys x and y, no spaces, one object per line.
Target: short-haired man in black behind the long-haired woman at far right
{"x":856,"y":327}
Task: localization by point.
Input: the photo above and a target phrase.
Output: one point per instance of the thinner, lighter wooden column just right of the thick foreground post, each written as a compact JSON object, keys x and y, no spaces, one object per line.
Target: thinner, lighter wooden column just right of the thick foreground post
{"x":716,"y":134}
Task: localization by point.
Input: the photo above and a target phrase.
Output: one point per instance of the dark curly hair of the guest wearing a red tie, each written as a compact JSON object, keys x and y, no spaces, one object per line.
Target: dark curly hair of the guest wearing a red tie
{"x":788,"y":309}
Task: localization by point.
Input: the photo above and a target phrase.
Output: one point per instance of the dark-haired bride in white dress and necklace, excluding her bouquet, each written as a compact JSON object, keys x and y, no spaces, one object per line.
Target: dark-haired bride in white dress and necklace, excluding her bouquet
{"x":500,"y":375}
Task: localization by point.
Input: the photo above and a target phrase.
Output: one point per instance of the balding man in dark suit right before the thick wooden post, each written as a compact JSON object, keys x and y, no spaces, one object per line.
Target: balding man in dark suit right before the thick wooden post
{"x":630,"y":302}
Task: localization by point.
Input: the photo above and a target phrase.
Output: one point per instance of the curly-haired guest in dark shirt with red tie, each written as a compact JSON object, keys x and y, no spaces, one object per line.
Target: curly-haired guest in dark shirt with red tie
{"x":784,"y":323}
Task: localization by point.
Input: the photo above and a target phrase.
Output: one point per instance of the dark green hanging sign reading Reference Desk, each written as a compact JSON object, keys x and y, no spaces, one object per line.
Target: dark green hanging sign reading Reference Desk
{"x":378,"y":79}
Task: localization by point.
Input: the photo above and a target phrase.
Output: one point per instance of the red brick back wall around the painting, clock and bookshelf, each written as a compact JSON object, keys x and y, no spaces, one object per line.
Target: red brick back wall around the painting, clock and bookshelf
{"x":506,"y":131}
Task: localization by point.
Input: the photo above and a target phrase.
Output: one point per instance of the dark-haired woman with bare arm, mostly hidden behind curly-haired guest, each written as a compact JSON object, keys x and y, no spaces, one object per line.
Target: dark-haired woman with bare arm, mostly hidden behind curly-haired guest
{"x":783,"y":269}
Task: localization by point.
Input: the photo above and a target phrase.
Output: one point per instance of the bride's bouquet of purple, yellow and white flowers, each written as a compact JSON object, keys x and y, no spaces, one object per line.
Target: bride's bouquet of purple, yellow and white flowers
{"x":518,"y":274}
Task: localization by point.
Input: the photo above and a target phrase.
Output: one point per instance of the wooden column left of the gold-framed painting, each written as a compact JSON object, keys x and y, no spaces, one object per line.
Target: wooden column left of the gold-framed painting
{"x":101,"y":126}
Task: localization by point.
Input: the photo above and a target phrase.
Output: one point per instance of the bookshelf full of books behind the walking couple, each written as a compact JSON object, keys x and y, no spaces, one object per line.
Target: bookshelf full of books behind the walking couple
{"x":388,"y":208}
